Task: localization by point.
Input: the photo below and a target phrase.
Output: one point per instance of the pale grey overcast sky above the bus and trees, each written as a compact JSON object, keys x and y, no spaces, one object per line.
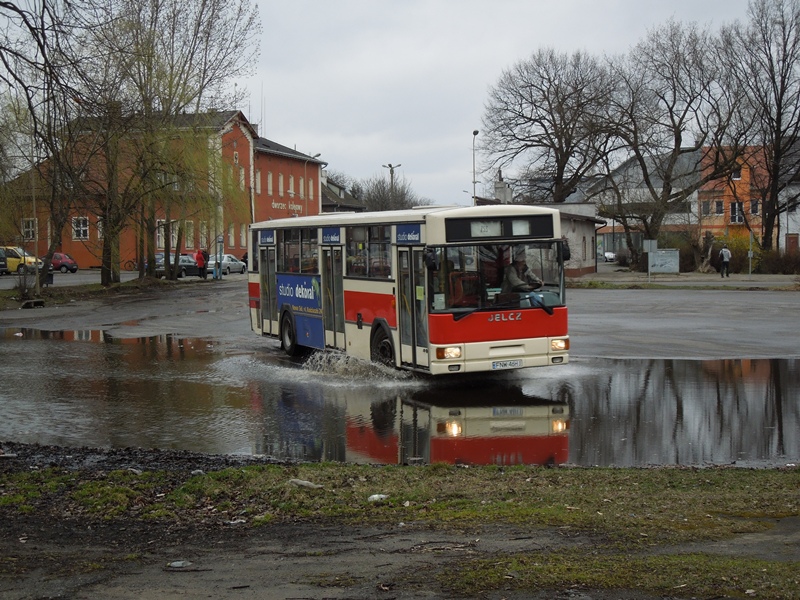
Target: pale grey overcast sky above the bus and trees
{"x":367,"y":83}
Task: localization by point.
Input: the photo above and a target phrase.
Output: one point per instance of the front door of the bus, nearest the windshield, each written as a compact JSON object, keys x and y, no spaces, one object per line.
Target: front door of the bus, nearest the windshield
{"x":412,"y":307}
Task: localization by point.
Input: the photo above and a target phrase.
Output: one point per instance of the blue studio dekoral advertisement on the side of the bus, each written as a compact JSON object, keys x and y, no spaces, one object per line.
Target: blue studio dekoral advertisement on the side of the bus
{"x":301,"y":292}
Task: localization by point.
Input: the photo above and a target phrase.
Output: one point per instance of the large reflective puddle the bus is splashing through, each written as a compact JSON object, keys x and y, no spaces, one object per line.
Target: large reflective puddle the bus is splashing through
{"x":78,"y":388}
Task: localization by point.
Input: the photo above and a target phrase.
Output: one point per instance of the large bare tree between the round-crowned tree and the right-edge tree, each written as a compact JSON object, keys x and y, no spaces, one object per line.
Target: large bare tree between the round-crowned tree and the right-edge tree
{"x":675,"y":118}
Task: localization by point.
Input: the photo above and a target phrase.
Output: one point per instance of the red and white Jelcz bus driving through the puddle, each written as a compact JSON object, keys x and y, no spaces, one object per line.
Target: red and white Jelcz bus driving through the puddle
{"x":429,"y":289}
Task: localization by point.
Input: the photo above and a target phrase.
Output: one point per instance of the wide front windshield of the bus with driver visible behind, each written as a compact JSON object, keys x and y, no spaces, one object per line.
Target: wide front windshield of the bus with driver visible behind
{"x":493,"y":276}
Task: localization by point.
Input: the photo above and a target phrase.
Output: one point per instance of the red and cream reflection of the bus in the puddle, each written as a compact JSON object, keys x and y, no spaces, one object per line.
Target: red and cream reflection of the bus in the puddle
{"x":519,"y":430}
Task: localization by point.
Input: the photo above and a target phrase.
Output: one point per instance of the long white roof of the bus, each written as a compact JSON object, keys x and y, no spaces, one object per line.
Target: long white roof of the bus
{"x":413,"y":215}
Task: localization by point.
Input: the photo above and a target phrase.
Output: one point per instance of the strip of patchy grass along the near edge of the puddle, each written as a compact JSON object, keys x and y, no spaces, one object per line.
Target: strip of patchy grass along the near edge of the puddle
{"x":640,"y":507}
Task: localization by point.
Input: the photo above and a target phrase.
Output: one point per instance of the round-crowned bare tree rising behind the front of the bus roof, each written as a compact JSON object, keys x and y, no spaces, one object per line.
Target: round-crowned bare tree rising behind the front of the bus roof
{"x":546,"y":116}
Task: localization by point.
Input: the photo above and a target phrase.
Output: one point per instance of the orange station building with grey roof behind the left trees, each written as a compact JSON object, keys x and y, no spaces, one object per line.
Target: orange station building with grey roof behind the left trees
{"x":266,"y":180}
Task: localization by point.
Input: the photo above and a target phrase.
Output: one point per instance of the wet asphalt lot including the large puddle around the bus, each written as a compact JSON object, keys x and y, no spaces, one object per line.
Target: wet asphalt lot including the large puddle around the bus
{"x":669,"y":377}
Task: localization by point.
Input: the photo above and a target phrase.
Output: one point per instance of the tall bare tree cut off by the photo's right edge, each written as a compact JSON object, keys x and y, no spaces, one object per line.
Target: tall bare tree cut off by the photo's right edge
{"x":764,"y":59}
